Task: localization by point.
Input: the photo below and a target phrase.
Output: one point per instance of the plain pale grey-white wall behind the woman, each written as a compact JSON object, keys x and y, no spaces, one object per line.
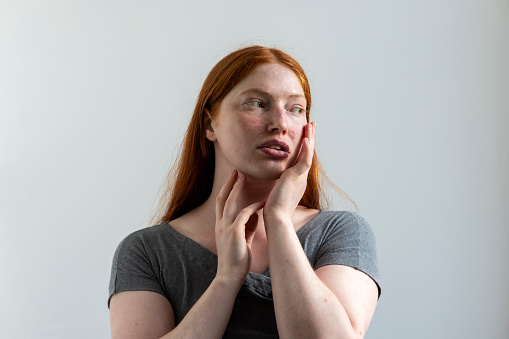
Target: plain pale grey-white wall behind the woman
{"x":411,"y":100}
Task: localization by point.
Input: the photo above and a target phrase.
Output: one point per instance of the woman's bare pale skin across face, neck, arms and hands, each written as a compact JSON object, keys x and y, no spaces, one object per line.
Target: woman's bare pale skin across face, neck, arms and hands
{"x":250,"y":221}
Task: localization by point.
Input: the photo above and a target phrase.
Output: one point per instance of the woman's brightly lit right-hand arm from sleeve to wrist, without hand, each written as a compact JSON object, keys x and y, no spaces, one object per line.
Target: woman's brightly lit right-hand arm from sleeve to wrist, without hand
{"x":332,"y":302}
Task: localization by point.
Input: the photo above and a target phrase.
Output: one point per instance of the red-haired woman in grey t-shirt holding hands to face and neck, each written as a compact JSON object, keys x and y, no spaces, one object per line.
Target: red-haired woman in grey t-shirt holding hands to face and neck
{"x":244,"y":197}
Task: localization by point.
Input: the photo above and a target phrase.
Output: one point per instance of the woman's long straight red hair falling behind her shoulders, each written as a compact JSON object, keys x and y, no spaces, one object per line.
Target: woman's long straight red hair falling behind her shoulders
{"x":189,"y":182}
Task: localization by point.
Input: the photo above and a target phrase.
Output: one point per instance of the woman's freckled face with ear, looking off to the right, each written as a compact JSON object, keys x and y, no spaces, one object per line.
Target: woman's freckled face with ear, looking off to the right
{"x":258,"y":128}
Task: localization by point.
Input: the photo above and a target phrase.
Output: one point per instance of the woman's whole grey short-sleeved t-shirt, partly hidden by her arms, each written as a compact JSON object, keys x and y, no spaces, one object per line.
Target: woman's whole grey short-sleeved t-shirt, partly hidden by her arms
{"x":161,"y":260}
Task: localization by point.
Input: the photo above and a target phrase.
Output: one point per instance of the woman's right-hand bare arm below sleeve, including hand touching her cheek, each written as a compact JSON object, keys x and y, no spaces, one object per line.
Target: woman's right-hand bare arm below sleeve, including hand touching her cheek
{"x":333,"y":302}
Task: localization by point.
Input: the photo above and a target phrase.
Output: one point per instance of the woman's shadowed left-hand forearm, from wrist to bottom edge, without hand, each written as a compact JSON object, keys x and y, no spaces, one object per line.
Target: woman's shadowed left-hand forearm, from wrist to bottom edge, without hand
{"x":209,"y":317}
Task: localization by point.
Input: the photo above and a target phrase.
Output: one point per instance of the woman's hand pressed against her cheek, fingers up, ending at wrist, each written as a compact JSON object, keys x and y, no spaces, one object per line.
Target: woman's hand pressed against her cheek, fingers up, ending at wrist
{"x":290,"y":187}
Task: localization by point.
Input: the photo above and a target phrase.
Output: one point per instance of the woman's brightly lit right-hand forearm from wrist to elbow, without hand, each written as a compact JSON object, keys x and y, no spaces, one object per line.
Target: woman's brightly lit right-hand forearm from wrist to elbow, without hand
{"x":304,"y":306}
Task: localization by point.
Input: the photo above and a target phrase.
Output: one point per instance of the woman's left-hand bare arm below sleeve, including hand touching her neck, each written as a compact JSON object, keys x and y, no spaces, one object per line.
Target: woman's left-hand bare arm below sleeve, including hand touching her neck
{"x":144,"y":314}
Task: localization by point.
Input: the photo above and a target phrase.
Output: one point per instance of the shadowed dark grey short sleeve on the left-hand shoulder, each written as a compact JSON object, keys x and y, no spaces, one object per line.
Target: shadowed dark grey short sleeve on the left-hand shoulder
{"x":132,"y":269}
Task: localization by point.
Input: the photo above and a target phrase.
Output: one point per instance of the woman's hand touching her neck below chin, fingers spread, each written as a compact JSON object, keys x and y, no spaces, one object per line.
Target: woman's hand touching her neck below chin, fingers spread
{"x":234,"y":230}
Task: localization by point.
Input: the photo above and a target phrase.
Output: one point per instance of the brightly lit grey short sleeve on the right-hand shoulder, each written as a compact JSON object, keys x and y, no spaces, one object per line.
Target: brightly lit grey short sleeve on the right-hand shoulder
{"x":350,"y":241}
